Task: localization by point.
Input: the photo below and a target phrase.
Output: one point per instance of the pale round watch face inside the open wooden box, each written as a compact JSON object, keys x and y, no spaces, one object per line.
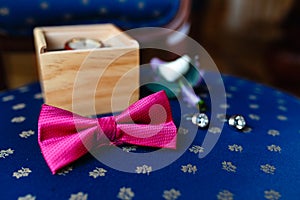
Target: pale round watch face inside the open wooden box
{"x":83,"y":43}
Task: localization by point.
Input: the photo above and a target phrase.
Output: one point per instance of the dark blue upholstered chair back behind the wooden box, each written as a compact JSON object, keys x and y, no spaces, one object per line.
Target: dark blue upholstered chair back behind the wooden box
{"x":20,"y":17}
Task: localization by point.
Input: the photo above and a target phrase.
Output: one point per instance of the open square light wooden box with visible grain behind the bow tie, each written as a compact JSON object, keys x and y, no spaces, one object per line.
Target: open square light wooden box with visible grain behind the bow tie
{"x":89,"y":81}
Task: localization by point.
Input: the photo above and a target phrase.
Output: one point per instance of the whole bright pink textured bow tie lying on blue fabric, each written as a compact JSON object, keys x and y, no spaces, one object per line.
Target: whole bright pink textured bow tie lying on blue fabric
{"x":64,"y":137}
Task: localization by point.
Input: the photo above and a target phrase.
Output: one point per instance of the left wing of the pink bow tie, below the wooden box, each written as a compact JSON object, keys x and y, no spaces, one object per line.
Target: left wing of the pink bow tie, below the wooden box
{"x":60,"y":140}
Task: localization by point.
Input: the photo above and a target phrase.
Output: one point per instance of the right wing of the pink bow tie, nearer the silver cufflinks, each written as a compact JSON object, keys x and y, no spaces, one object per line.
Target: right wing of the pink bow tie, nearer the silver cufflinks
{"x":148,"y":122}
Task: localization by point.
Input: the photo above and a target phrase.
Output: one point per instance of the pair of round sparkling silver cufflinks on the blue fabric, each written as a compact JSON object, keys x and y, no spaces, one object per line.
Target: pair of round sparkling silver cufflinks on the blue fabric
{"x":201,"y":120}
